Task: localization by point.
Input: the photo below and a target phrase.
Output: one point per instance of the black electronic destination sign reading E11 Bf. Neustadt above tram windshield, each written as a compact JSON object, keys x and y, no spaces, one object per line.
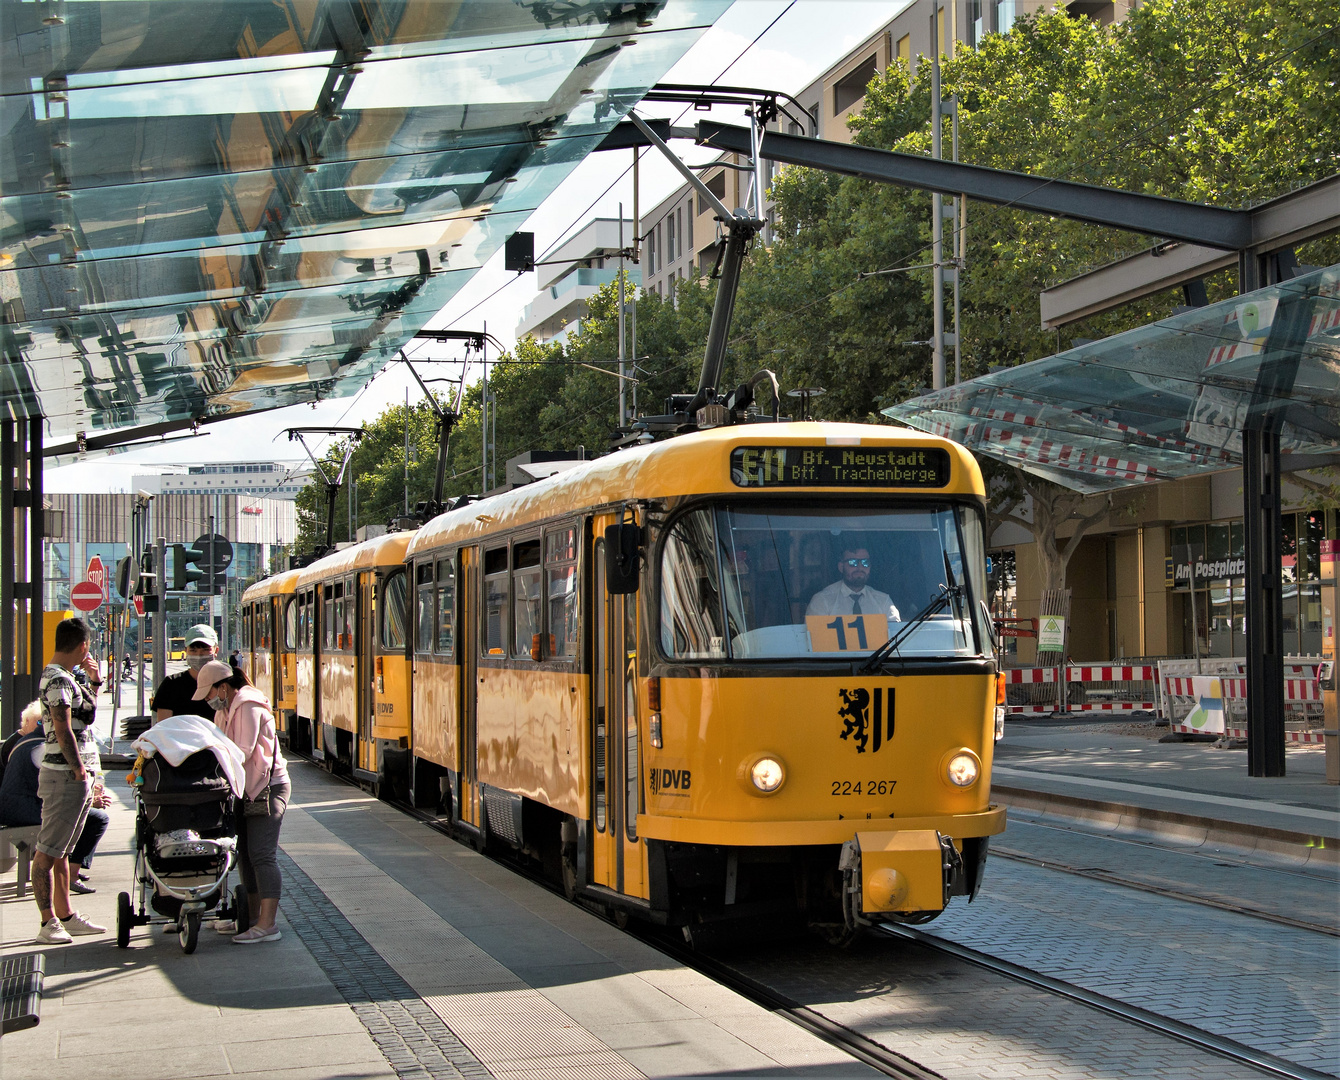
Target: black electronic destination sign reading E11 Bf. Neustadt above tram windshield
{"x":840,"y":467}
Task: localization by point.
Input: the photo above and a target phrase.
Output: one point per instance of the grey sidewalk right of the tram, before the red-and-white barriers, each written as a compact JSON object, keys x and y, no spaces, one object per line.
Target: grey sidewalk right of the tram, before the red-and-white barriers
{"x":1118,"y":772}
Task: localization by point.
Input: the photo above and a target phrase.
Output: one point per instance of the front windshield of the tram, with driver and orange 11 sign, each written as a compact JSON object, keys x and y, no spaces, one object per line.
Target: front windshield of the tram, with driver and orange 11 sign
{"x":759,"y":584}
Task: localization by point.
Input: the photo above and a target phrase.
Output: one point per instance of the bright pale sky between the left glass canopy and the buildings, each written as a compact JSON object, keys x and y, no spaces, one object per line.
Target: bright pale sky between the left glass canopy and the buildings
{"x":805,"y":41}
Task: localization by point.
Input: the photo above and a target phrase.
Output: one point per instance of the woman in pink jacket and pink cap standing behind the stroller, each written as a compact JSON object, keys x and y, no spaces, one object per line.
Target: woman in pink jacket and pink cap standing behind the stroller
{"x":245,"y":716}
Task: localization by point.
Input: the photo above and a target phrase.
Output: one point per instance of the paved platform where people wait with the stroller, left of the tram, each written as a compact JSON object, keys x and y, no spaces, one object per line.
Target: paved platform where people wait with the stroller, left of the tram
{"x":404,"y":956}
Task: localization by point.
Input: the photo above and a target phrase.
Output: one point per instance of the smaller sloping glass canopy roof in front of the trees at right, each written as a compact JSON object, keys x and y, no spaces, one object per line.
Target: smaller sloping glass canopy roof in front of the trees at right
{"x":1164,"y":401}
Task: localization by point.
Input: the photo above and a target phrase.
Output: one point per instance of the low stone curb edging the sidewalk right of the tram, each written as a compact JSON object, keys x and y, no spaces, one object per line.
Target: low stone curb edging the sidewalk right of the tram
{"x":1187,"y":827}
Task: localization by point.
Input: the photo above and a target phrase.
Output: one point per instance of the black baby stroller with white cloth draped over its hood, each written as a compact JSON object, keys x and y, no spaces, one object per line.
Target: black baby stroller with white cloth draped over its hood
{"x":186,"y":848}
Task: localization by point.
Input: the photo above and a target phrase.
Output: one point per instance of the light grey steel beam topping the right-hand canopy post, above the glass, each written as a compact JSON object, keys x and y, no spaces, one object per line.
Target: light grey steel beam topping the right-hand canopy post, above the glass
{"x":1309,"y":214}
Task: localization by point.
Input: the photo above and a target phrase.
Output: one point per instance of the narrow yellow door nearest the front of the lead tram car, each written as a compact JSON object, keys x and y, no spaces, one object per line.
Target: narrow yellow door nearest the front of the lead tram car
{"x":618,"y":858}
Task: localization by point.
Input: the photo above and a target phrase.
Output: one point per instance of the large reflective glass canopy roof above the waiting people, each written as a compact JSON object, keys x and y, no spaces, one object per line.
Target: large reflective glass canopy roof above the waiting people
{"x":208,"y":210}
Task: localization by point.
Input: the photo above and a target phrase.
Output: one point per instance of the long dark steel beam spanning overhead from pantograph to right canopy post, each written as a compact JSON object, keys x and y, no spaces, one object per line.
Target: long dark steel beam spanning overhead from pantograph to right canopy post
{"x":1193,"y":223}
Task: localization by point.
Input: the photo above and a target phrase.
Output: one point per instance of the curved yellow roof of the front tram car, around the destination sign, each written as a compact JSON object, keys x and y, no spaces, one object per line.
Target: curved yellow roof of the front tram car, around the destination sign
{"x":695,"y":464}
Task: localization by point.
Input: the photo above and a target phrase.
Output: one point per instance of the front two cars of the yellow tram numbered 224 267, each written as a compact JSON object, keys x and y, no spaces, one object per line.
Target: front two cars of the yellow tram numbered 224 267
{"x":739,"y":673}
